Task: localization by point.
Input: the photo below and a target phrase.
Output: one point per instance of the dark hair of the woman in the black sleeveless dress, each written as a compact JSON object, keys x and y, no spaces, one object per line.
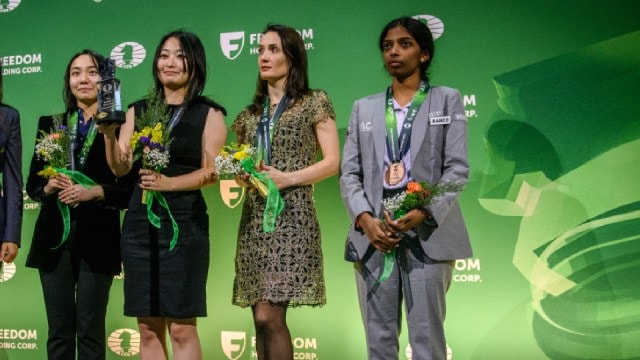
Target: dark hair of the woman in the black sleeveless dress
{"x":194,"y":62}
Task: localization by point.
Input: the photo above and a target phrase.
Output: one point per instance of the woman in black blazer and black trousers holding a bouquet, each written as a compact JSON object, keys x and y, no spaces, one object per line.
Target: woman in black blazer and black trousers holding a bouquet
{"x":77,"y":275}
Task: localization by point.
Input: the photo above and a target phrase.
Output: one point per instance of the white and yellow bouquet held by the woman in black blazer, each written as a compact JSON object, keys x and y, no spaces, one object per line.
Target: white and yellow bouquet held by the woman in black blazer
{"x":53,"y":147}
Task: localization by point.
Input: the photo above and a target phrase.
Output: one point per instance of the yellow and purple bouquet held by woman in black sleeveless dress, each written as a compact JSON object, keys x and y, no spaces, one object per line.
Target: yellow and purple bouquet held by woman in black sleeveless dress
{"x":151,"y":142}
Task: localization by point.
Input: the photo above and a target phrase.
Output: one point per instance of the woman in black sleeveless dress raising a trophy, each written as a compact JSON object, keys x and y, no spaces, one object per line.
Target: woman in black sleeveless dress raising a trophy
{"x":165,"y":288}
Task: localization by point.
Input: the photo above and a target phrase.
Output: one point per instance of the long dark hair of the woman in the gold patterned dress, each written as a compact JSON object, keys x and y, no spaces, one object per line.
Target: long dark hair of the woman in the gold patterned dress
{"x":297,"y":83}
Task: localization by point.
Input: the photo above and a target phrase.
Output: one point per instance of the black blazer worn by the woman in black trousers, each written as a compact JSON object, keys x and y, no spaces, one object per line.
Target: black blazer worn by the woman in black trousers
{"x":95,"y":225}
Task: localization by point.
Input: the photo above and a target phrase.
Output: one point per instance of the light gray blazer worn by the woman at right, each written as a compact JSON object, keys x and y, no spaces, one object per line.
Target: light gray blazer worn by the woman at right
{"x":438,"y":154}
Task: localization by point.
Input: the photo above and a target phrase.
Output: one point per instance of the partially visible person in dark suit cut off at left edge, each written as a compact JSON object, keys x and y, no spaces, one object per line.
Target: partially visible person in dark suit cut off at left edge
{"x":11,"y":169}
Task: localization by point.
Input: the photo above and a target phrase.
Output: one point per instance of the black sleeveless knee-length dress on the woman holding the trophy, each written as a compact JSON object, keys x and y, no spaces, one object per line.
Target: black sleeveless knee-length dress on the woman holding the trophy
{"x":159,"y":282}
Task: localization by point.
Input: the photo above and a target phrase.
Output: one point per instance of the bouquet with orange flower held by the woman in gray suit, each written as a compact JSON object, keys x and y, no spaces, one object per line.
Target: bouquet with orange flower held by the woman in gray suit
{"x":418,"y":196}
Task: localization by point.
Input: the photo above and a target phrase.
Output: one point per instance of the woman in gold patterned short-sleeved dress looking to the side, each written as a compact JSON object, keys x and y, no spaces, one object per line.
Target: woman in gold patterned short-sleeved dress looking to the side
{"x":283,"y":268}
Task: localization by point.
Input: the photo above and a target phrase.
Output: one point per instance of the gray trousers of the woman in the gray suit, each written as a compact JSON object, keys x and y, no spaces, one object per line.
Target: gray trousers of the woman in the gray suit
{"x":418,"y":281}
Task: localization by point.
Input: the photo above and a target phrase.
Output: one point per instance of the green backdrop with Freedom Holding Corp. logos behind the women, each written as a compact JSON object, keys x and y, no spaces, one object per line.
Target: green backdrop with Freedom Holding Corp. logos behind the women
{"x":552,"y":206}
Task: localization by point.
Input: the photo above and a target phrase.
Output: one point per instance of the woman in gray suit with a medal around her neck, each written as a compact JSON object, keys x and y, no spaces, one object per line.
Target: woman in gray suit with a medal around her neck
{"x":411,"y":132}
